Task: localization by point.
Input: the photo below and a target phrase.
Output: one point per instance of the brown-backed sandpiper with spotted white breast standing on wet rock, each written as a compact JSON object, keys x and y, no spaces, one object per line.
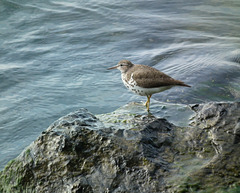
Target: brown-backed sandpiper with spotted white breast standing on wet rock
{"x":145,"y":80}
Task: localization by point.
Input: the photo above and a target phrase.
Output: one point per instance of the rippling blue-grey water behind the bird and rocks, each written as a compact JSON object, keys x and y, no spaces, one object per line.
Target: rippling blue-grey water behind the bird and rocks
{"x":54,"y":55}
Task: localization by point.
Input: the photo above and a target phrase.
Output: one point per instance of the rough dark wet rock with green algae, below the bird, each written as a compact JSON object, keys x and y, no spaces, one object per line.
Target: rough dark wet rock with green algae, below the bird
{"x":78,"y":153}
